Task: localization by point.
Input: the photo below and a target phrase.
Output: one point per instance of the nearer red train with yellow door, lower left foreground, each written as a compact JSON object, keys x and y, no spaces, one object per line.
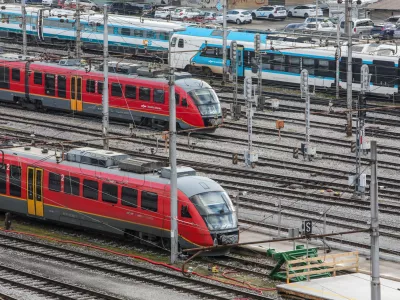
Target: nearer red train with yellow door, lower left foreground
{"x":115,"y":193}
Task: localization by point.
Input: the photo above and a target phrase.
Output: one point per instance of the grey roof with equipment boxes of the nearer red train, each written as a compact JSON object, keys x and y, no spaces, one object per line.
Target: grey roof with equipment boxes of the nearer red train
{"x":120,"y":170}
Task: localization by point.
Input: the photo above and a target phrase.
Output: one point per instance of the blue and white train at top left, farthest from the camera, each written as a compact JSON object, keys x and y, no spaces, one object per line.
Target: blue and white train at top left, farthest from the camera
{"x":125,"y":34}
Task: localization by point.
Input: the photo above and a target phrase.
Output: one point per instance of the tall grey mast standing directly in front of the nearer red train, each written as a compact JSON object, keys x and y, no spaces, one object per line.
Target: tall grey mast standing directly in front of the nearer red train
{"x":172,"y":161}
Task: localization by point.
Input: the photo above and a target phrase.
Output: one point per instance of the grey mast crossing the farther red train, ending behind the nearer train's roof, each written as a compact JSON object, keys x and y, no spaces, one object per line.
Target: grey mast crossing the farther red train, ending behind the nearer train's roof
{"x":105,"y":84}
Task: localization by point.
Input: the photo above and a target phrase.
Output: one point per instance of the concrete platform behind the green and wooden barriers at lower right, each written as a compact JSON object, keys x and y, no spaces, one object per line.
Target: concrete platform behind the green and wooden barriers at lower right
{"x":388,"y":269}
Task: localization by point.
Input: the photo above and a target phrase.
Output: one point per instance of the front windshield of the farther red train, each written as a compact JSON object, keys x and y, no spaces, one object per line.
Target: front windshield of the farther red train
{"x":207,"y":101}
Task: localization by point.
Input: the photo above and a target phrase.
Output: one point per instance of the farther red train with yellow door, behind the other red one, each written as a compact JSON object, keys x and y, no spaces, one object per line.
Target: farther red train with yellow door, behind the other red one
{"x":143,"y":100}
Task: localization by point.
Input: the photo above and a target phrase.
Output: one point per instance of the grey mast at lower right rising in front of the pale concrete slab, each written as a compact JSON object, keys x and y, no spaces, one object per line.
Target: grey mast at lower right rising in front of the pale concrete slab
{"x":375,"y":280}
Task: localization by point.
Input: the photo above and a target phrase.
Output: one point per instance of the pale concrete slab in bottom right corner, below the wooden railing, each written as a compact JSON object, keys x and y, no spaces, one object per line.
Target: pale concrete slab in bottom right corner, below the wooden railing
{"x":350,"y":287}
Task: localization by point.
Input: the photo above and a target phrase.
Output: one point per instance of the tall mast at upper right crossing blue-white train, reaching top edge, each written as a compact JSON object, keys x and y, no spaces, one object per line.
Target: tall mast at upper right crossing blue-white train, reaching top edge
{"x":349,"y":68}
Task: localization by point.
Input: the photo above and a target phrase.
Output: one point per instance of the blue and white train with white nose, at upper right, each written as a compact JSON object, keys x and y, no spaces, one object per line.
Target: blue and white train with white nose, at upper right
{"x":283,"y":61}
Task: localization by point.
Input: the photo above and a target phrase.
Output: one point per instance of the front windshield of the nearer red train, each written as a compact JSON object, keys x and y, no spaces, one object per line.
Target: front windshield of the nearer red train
{"x":217,"y":210}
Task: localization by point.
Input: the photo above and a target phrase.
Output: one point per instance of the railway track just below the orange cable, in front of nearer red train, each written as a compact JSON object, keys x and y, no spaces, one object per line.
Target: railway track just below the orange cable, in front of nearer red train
{"x":176,"y":281}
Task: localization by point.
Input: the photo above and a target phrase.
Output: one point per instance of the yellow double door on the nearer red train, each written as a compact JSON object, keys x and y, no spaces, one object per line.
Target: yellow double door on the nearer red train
{"x":35,"y":191}
